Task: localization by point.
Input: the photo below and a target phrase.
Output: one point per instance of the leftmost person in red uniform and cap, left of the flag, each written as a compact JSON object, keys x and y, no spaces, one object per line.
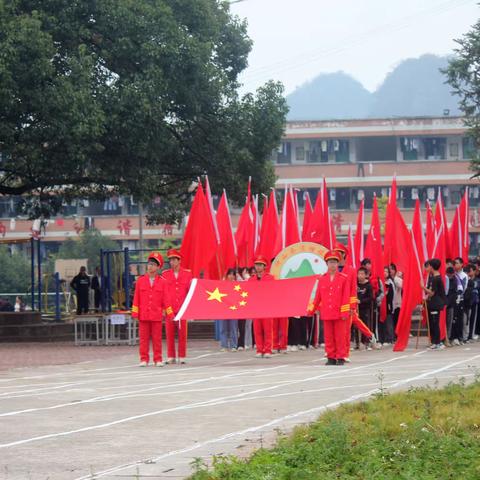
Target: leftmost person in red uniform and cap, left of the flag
{"x":150,"y":301}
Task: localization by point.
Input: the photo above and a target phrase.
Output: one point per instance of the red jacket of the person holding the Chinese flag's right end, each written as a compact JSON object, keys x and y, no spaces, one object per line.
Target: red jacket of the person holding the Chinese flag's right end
{"x":332,"y":297}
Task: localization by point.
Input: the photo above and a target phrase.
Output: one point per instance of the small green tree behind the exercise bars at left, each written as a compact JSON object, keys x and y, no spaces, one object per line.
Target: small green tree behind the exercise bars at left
{"x":88,"y":246}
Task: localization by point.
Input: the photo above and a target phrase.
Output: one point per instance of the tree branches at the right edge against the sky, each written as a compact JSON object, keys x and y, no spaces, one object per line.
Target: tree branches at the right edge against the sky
{"x":463,"y":75}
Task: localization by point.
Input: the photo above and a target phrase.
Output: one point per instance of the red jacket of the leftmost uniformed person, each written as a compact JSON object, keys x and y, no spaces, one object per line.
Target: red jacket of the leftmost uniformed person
{"x":149,"y":301}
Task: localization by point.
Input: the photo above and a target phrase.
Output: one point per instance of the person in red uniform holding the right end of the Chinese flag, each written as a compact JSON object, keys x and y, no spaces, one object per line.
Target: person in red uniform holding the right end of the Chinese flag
{"x":333,"y":301}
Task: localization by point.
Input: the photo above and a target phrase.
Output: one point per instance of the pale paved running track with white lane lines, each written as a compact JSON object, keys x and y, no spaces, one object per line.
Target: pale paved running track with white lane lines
{"x":107,"y":418}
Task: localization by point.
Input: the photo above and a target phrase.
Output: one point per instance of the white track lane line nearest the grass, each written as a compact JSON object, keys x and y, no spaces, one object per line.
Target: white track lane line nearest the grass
{"x":276,"y":421}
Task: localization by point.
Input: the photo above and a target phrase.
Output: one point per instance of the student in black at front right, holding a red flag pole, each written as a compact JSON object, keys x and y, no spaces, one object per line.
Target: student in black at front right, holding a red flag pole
{"x":436,"y":300}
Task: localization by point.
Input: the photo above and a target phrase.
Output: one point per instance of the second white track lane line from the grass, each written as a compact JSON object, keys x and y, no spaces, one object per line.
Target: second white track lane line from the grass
{"x":208,"y":403}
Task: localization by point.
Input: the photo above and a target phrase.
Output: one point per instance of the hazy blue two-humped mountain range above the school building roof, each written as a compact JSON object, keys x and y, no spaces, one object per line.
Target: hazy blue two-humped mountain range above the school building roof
{"x":416,"y":87}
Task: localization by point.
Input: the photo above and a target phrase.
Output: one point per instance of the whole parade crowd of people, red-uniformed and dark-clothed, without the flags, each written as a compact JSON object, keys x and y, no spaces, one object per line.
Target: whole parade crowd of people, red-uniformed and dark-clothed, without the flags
{"x":352,"y":309}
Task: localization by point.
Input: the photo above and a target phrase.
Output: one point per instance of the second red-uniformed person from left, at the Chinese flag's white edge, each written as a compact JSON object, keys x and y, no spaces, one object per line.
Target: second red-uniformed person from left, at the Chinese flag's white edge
{"x":178,"y":280}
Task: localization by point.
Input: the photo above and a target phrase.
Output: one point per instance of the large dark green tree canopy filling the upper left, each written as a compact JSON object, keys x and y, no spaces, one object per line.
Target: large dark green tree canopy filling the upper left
{"x":129,"y":96}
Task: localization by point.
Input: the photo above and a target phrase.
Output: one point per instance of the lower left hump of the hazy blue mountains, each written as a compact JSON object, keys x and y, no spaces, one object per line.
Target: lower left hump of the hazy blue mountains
{"x":332,"y":95}
